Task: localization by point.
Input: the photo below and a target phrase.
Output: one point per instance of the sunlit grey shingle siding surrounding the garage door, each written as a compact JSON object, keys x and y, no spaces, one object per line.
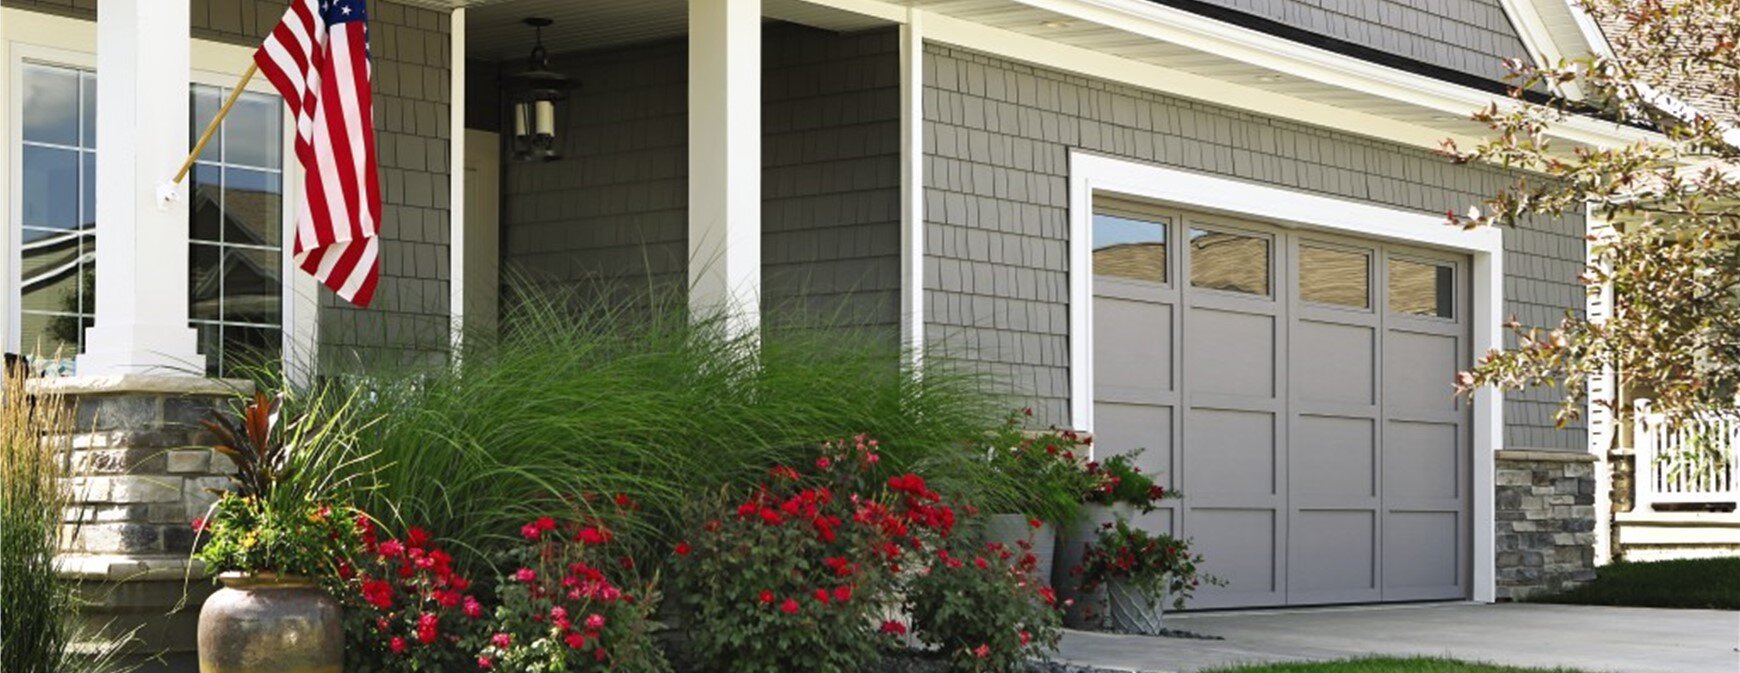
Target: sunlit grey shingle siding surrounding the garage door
{"x":998,"y":140}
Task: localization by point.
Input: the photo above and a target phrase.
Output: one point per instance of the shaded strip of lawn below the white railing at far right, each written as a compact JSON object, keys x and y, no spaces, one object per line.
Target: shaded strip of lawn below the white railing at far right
{"x":1696,"y":583}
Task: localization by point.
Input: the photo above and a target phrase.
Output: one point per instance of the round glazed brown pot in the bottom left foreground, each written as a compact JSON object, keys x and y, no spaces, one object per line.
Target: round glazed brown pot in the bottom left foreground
{"x":265,"y":623}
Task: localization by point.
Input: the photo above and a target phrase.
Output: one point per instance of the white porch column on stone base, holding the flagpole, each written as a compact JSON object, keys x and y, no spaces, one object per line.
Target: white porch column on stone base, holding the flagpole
{"x":142,"y":316}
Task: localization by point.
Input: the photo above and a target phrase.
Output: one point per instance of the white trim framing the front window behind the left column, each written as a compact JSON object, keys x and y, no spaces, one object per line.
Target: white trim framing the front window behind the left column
{"x":72,"y":43}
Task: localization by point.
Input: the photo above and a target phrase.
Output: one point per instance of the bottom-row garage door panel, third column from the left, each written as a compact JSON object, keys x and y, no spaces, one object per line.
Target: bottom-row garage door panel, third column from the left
{"x":1334,"y":556}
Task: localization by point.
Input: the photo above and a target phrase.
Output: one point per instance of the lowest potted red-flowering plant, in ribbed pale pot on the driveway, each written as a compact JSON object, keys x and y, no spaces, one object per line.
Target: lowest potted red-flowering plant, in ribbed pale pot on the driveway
{"x":1141,"y":573}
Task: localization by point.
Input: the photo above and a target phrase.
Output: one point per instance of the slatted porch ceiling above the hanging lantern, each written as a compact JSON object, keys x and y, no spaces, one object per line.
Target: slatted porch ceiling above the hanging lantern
{"x":495,"y":30}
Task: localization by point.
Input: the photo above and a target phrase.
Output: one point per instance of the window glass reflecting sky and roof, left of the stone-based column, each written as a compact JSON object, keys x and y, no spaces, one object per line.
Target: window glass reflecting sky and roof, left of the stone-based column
{"x":58,"y":208}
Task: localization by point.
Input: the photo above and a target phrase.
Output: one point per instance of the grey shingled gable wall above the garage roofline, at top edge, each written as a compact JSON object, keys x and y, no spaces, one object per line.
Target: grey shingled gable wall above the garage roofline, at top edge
{"x":1464,"y":36}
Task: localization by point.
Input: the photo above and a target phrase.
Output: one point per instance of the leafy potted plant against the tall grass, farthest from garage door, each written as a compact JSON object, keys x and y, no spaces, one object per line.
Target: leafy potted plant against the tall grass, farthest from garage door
{"x":1047,"y":477}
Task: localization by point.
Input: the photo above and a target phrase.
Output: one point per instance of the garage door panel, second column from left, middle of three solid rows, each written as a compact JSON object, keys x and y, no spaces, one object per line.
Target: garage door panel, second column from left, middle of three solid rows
{"x":1233,"y":453}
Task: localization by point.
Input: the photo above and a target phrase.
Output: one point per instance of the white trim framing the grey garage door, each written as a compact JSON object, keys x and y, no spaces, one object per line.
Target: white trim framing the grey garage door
{"x":1302,"y":211}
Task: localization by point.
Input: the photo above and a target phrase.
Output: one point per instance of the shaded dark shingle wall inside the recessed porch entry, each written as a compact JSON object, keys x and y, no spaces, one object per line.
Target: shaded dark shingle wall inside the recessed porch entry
{"x":612,"y":215}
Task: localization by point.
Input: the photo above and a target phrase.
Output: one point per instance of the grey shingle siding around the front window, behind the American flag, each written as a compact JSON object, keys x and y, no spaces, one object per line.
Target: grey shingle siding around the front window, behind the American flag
{"x":408,"y":321}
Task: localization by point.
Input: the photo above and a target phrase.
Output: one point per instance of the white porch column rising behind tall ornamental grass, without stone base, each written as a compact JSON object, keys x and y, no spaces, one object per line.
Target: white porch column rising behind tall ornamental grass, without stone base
{"x":725,"y":161}
